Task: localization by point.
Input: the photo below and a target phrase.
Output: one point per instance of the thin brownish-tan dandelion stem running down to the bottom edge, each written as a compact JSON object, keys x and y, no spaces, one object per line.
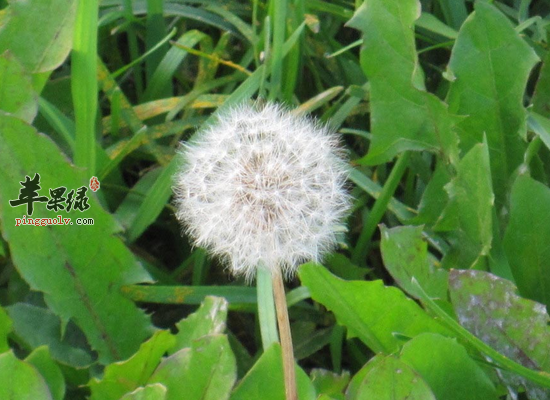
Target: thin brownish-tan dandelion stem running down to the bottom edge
{"x":286,"y":337}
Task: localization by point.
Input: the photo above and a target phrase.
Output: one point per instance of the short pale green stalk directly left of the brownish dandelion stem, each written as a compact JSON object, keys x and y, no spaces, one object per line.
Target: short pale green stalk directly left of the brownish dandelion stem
{"x":266,"y":307}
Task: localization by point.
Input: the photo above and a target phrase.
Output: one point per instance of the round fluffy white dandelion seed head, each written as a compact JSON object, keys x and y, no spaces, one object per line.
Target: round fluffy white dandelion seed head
{"x":263,"y":187}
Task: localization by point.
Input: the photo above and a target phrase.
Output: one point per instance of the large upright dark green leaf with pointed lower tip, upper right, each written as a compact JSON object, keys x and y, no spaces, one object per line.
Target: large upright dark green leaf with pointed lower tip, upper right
{"x":489,"y":67}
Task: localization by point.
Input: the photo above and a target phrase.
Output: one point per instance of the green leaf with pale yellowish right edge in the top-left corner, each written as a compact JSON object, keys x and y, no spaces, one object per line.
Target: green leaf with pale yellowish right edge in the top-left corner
{"x":39,"y":33}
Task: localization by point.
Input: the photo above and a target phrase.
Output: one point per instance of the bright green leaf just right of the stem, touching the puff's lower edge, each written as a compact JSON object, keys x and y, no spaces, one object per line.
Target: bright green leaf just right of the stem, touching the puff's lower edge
{"x":371,"y":311}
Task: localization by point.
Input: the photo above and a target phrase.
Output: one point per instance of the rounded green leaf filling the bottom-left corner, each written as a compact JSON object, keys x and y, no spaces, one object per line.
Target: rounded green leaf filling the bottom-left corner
{"x":20,"y":380}
